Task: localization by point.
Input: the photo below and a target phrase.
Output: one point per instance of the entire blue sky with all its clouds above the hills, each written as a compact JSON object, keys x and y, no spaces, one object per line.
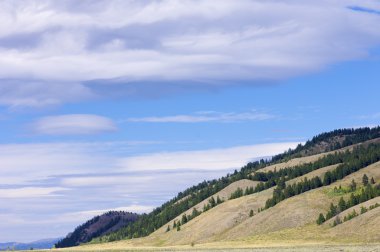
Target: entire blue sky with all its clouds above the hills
{"x":120,"y":105}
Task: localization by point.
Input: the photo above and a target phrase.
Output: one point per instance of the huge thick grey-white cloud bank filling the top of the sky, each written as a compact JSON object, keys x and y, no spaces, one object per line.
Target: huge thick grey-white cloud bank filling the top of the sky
{"x":136,"y":41}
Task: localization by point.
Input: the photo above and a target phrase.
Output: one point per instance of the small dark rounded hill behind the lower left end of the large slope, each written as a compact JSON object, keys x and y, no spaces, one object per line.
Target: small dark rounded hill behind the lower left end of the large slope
{"x":97,"y":226}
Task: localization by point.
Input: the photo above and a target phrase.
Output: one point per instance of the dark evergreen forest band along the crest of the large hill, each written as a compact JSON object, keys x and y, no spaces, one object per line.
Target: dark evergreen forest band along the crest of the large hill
{"x":192,"y":196}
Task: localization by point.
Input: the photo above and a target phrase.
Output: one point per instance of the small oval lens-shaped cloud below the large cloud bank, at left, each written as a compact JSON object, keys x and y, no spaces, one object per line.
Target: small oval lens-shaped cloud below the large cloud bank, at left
{"x":73,"y":124}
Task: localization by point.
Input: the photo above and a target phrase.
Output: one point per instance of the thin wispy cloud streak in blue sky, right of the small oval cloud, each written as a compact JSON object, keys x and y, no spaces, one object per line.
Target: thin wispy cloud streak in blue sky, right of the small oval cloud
{"x":209,"y":116}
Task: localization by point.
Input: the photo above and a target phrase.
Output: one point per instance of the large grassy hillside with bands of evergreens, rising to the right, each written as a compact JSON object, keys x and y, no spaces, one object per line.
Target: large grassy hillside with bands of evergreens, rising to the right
{"x":273,"y":201}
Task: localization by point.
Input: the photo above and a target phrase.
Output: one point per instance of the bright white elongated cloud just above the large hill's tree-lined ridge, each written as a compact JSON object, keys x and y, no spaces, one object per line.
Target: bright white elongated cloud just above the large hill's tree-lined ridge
{"x":214,"y":159}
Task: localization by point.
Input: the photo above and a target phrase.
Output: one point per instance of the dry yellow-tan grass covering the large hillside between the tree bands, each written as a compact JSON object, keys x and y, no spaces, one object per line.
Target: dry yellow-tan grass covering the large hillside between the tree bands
{"x":290,"y":222}
